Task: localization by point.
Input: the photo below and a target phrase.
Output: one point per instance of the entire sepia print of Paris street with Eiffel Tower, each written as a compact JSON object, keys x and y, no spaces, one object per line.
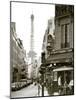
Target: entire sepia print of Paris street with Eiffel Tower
{"x":42,"y":61}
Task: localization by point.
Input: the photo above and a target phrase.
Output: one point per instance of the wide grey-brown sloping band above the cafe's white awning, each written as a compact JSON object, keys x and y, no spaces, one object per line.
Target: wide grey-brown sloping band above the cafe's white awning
{"x":61,"y":56}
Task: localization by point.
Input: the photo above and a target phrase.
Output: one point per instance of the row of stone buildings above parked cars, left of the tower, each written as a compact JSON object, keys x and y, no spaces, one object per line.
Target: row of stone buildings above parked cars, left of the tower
{"x":17,"y":56}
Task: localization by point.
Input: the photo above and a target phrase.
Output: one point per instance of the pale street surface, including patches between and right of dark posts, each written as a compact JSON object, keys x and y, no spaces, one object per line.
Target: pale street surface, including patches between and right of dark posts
{"x":30,"y":91}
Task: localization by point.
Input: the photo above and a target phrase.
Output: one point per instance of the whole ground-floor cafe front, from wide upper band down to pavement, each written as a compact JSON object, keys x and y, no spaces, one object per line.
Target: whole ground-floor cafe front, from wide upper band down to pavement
{"x":63,"y":71}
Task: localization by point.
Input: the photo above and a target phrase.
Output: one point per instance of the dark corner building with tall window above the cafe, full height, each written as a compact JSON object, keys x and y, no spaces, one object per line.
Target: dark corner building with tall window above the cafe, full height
{"x":62,"y":56}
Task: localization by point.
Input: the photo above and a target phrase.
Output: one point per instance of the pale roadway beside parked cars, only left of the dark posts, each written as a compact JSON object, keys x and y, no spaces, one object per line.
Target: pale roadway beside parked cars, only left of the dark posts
{"x":30,"y":91}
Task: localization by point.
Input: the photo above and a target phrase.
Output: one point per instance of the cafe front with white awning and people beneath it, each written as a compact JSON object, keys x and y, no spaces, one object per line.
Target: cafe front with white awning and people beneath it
{"x":64,"y":80}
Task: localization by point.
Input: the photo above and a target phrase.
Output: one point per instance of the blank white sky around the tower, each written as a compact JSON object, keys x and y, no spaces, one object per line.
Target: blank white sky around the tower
{"x":21,"y":14}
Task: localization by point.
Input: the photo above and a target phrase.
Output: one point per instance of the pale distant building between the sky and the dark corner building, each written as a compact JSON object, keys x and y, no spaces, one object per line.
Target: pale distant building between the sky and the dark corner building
{"x":48,"y":39}
